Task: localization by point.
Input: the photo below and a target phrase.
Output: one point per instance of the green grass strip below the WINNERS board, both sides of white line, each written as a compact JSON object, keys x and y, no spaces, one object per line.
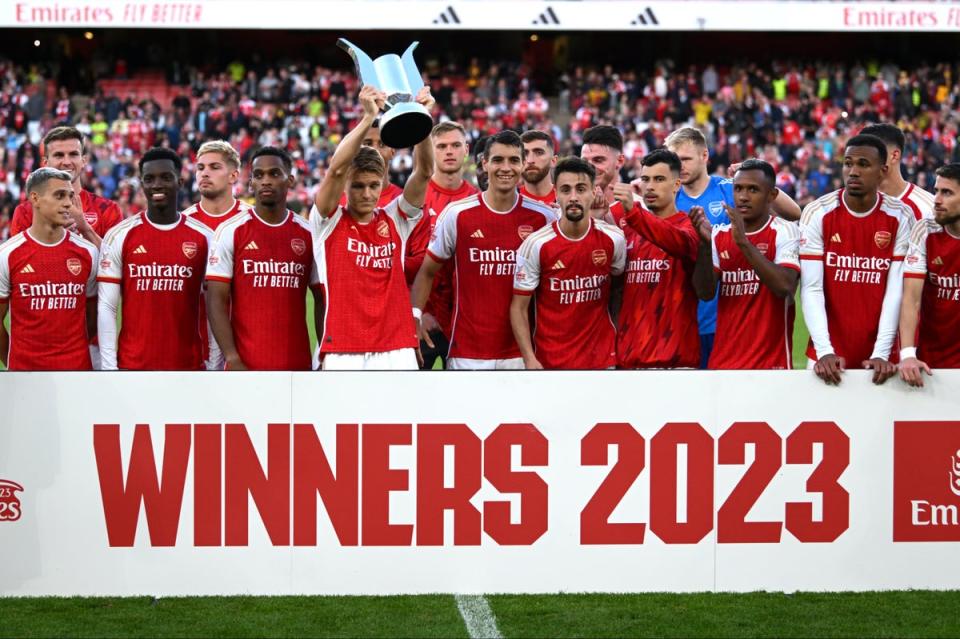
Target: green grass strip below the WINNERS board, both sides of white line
{"x":874,"y":614}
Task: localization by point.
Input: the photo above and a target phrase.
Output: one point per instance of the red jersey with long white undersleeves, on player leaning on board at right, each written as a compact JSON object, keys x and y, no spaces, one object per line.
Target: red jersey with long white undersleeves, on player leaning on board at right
{"x":852,"y":283}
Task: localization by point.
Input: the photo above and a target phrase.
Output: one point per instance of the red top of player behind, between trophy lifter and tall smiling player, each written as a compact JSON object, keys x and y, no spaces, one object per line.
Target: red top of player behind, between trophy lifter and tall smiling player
{"x":440,"y":303}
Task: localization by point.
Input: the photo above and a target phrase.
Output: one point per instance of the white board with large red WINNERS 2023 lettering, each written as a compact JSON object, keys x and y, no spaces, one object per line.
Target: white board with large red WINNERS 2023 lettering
{"x":380,"y":483}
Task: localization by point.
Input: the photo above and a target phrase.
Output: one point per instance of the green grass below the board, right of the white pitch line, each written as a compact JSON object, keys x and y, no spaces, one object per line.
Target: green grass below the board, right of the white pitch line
{"x":891,"y":614}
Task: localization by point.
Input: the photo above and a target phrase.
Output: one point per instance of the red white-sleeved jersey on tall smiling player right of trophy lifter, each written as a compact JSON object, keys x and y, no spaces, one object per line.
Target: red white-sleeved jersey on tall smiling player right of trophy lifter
{"x":483,"y":244}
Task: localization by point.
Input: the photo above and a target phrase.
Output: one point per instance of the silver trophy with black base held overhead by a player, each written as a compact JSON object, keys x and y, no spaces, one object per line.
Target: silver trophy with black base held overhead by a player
{"x":404,"y":122}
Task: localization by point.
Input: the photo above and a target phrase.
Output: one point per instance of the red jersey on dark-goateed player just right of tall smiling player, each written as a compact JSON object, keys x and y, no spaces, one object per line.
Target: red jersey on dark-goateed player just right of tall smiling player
{"x":571,"y":280}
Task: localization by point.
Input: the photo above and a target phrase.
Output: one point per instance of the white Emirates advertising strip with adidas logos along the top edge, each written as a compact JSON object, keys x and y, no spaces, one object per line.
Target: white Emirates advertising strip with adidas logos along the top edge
{"x":517,"y":15}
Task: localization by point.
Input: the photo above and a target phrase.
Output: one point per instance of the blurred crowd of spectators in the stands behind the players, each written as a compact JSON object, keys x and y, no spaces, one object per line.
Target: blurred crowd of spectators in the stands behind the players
{"x":795,"y":116}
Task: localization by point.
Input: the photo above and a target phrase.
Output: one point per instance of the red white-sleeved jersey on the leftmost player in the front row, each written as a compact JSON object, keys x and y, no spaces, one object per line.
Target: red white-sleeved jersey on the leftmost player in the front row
{"x":47,"y":287}
